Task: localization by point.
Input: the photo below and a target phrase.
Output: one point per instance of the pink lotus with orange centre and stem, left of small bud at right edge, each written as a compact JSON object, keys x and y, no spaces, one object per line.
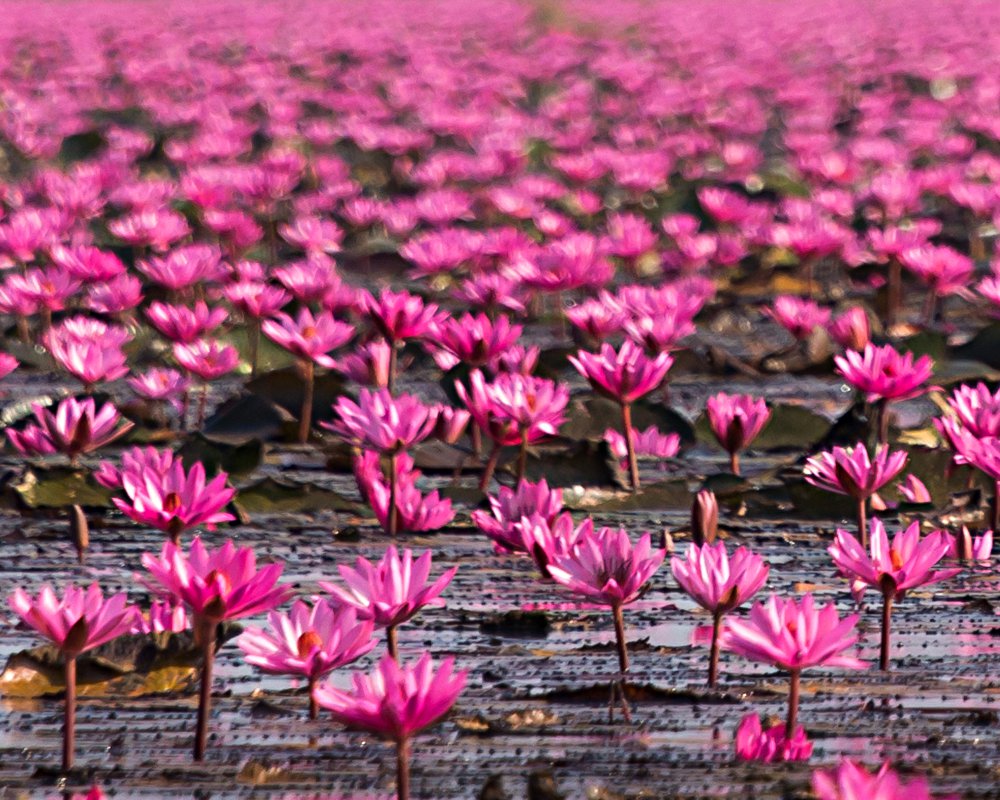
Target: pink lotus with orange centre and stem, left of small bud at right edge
{"x":893,"y":570}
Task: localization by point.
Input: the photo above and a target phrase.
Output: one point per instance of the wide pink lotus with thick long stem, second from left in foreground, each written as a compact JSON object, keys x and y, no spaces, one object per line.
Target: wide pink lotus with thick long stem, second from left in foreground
{"x":214,"y":585}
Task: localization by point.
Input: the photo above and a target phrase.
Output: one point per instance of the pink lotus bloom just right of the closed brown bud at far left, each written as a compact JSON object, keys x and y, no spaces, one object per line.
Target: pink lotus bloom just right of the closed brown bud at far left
{"x":173,"y":500}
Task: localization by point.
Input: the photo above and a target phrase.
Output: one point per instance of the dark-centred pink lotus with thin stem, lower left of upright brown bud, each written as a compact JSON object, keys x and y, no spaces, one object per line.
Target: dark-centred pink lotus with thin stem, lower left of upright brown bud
{"x":603,"y":566}
